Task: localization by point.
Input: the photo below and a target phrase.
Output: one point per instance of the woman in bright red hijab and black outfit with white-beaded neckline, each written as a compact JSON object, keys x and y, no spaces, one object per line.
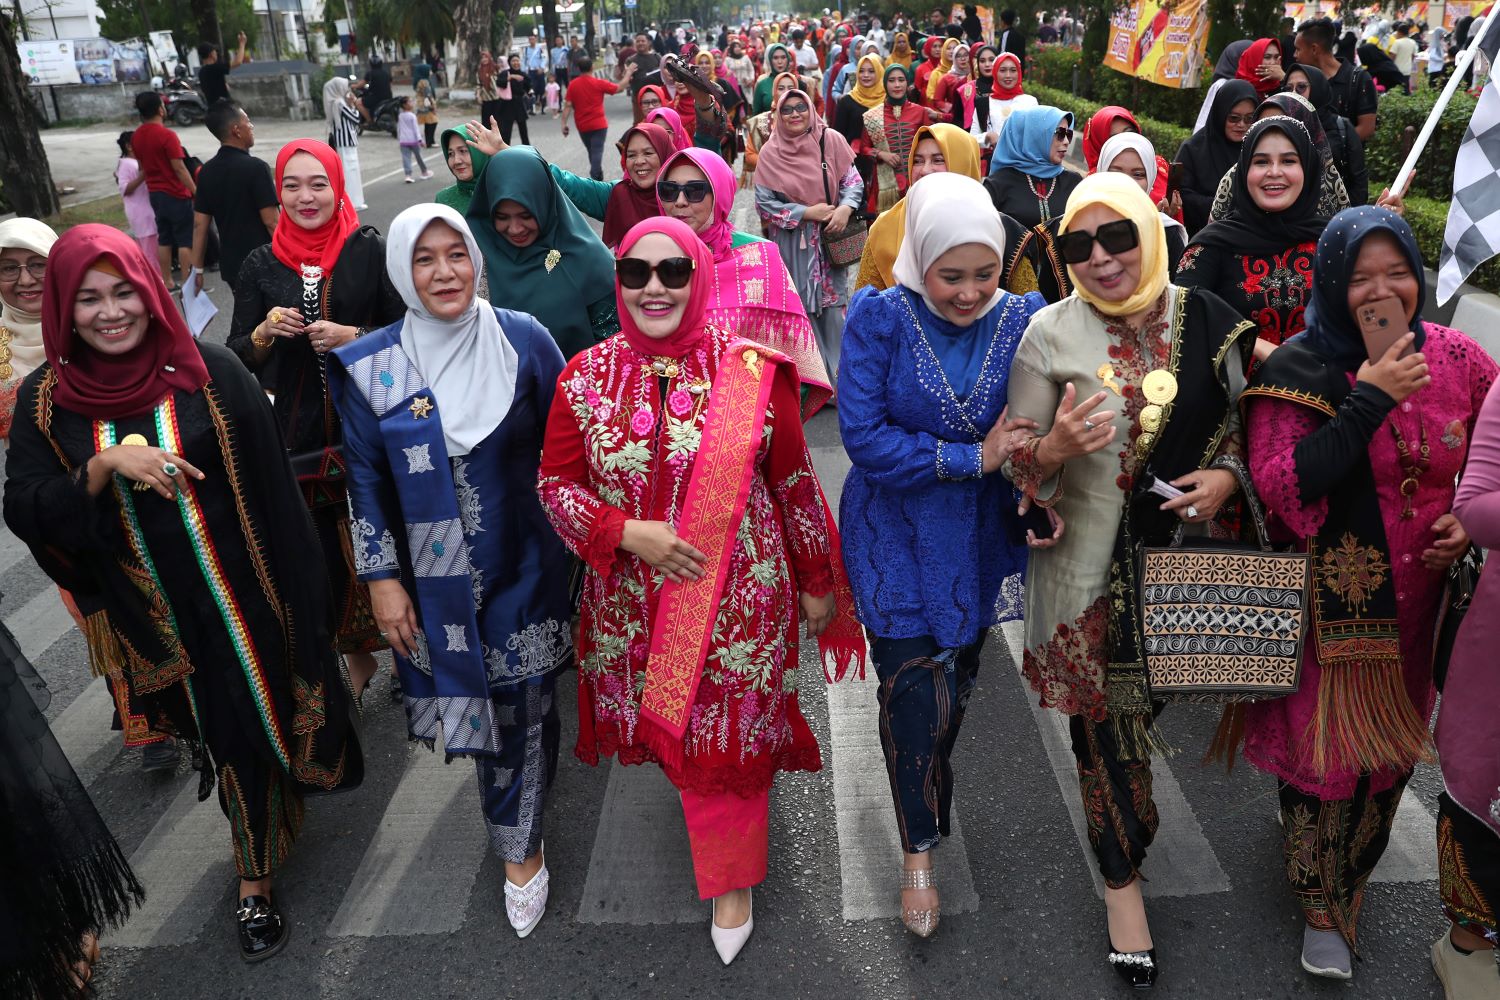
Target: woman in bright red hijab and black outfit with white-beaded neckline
{"x":319,"y":284}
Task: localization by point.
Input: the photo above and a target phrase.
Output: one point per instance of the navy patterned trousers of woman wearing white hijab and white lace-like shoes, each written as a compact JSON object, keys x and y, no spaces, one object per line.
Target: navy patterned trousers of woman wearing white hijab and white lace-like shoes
{"x":514,"y":786}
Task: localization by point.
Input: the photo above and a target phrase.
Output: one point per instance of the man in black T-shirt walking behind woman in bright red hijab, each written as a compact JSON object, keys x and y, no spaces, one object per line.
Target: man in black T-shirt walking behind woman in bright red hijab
{"x":236,"y":193}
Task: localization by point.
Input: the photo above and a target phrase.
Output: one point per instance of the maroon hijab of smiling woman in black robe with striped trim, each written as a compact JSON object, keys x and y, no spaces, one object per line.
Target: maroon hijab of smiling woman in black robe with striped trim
{"x":113,"y":388}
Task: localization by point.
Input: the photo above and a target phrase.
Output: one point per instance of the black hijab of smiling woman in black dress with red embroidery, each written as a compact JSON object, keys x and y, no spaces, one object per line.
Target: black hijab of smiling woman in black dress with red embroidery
{"x":1252,"y":230}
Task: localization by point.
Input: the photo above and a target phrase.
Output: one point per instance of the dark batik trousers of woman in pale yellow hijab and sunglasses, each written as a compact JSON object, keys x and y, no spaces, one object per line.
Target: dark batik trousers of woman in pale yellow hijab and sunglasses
{"x":1118,"y":809}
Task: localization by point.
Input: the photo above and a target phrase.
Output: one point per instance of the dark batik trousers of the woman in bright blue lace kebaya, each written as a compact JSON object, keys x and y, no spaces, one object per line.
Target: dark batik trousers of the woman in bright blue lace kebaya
{"x":925,"y":690}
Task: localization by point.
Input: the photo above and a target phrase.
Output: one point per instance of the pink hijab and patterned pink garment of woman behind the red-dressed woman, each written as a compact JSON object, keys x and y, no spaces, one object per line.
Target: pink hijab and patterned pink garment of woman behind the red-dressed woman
{"x":752,"y":295}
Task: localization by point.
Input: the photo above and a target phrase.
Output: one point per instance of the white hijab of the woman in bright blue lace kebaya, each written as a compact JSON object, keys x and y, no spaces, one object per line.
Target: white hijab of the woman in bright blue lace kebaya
{"x":932,"y":206}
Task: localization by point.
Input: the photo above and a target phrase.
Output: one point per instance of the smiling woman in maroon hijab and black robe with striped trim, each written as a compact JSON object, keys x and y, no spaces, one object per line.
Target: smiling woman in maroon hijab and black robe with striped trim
{"x":146,"y":475}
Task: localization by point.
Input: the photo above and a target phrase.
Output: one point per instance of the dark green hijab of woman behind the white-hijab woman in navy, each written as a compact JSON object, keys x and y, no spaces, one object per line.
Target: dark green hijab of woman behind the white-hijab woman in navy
{"x":583,"y":272}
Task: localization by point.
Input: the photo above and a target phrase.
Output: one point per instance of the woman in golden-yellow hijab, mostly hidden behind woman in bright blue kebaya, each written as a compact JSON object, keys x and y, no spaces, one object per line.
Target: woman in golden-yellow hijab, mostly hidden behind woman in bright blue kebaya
{"x":938,"y":149}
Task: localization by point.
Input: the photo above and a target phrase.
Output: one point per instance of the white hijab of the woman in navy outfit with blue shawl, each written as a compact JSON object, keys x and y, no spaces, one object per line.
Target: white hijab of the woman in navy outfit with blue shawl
{"x":469,"y":362}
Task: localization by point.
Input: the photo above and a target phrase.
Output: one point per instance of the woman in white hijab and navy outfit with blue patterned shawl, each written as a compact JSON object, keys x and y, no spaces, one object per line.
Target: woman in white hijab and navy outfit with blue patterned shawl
{"x":443,"y":422}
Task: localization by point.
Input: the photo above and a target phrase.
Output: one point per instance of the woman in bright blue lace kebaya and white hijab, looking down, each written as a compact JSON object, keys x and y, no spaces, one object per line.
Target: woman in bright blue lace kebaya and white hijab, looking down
{"x":926,"y":516}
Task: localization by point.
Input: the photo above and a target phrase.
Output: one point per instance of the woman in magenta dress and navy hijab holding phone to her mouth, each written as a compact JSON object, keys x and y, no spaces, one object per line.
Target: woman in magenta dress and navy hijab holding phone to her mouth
{"x":1360,"y":461}
